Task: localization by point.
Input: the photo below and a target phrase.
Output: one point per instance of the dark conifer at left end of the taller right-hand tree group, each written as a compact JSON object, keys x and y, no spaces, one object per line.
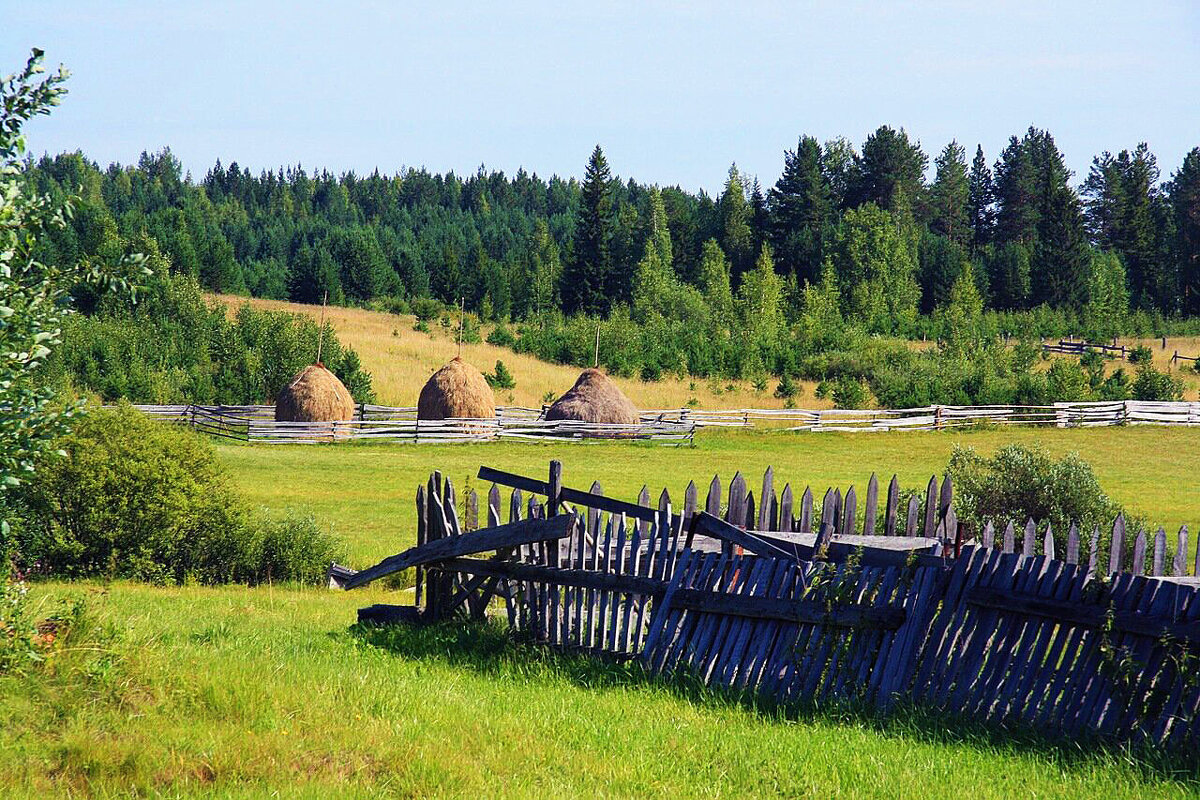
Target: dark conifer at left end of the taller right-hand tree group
{"x":801,"y":212}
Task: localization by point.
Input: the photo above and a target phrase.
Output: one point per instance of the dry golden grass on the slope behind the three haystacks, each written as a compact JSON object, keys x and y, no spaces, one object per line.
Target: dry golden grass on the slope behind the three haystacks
{"x":401,"y":360}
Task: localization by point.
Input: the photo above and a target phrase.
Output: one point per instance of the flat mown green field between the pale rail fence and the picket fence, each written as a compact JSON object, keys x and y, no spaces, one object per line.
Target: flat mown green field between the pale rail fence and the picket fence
{"x":367,"y":492}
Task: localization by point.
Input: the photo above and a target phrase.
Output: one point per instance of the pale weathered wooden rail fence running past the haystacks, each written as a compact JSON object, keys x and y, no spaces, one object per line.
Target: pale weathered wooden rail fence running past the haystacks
{"x":256,"y":424}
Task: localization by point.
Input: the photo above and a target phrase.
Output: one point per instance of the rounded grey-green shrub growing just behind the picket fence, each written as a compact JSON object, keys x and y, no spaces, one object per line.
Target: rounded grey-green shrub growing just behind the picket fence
{"x":1019,"y":484}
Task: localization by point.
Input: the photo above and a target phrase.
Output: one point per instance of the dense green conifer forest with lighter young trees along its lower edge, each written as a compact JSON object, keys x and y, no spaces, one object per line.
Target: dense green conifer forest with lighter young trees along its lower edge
{"x":821,"y":275}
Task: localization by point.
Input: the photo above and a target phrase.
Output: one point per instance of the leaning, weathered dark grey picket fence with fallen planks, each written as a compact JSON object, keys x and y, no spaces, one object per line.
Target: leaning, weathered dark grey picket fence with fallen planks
{"x":927,"y":615}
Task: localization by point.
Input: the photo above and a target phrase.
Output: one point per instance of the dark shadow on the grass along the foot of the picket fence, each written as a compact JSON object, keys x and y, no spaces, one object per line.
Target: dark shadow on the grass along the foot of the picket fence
{"x":490,"y":649}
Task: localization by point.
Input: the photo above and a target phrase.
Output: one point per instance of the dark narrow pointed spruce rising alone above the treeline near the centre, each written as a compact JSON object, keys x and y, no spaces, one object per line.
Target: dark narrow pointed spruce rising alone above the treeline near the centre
{"x":585,"y":280}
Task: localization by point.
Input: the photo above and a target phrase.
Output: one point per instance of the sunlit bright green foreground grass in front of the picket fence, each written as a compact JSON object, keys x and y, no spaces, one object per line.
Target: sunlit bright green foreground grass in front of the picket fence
{"x":247,"y":693}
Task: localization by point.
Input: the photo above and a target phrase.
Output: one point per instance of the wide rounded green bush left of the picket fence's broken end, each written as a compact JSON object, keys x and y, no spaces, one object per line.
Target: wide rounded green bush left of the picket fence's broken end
{"x":133,"y":498}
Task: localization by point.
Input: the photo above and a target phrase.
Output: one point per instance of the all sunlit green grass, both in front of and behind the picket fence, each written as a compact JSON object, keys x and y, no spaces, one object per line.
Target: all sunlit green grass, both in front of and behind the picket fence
{"x":253,"y":693}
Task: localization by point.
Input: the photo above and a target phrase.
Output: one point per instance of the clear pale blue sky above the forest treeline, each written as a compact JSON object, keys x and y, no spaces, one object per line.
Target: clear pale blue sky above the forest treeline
{"x":674,"y":92}
